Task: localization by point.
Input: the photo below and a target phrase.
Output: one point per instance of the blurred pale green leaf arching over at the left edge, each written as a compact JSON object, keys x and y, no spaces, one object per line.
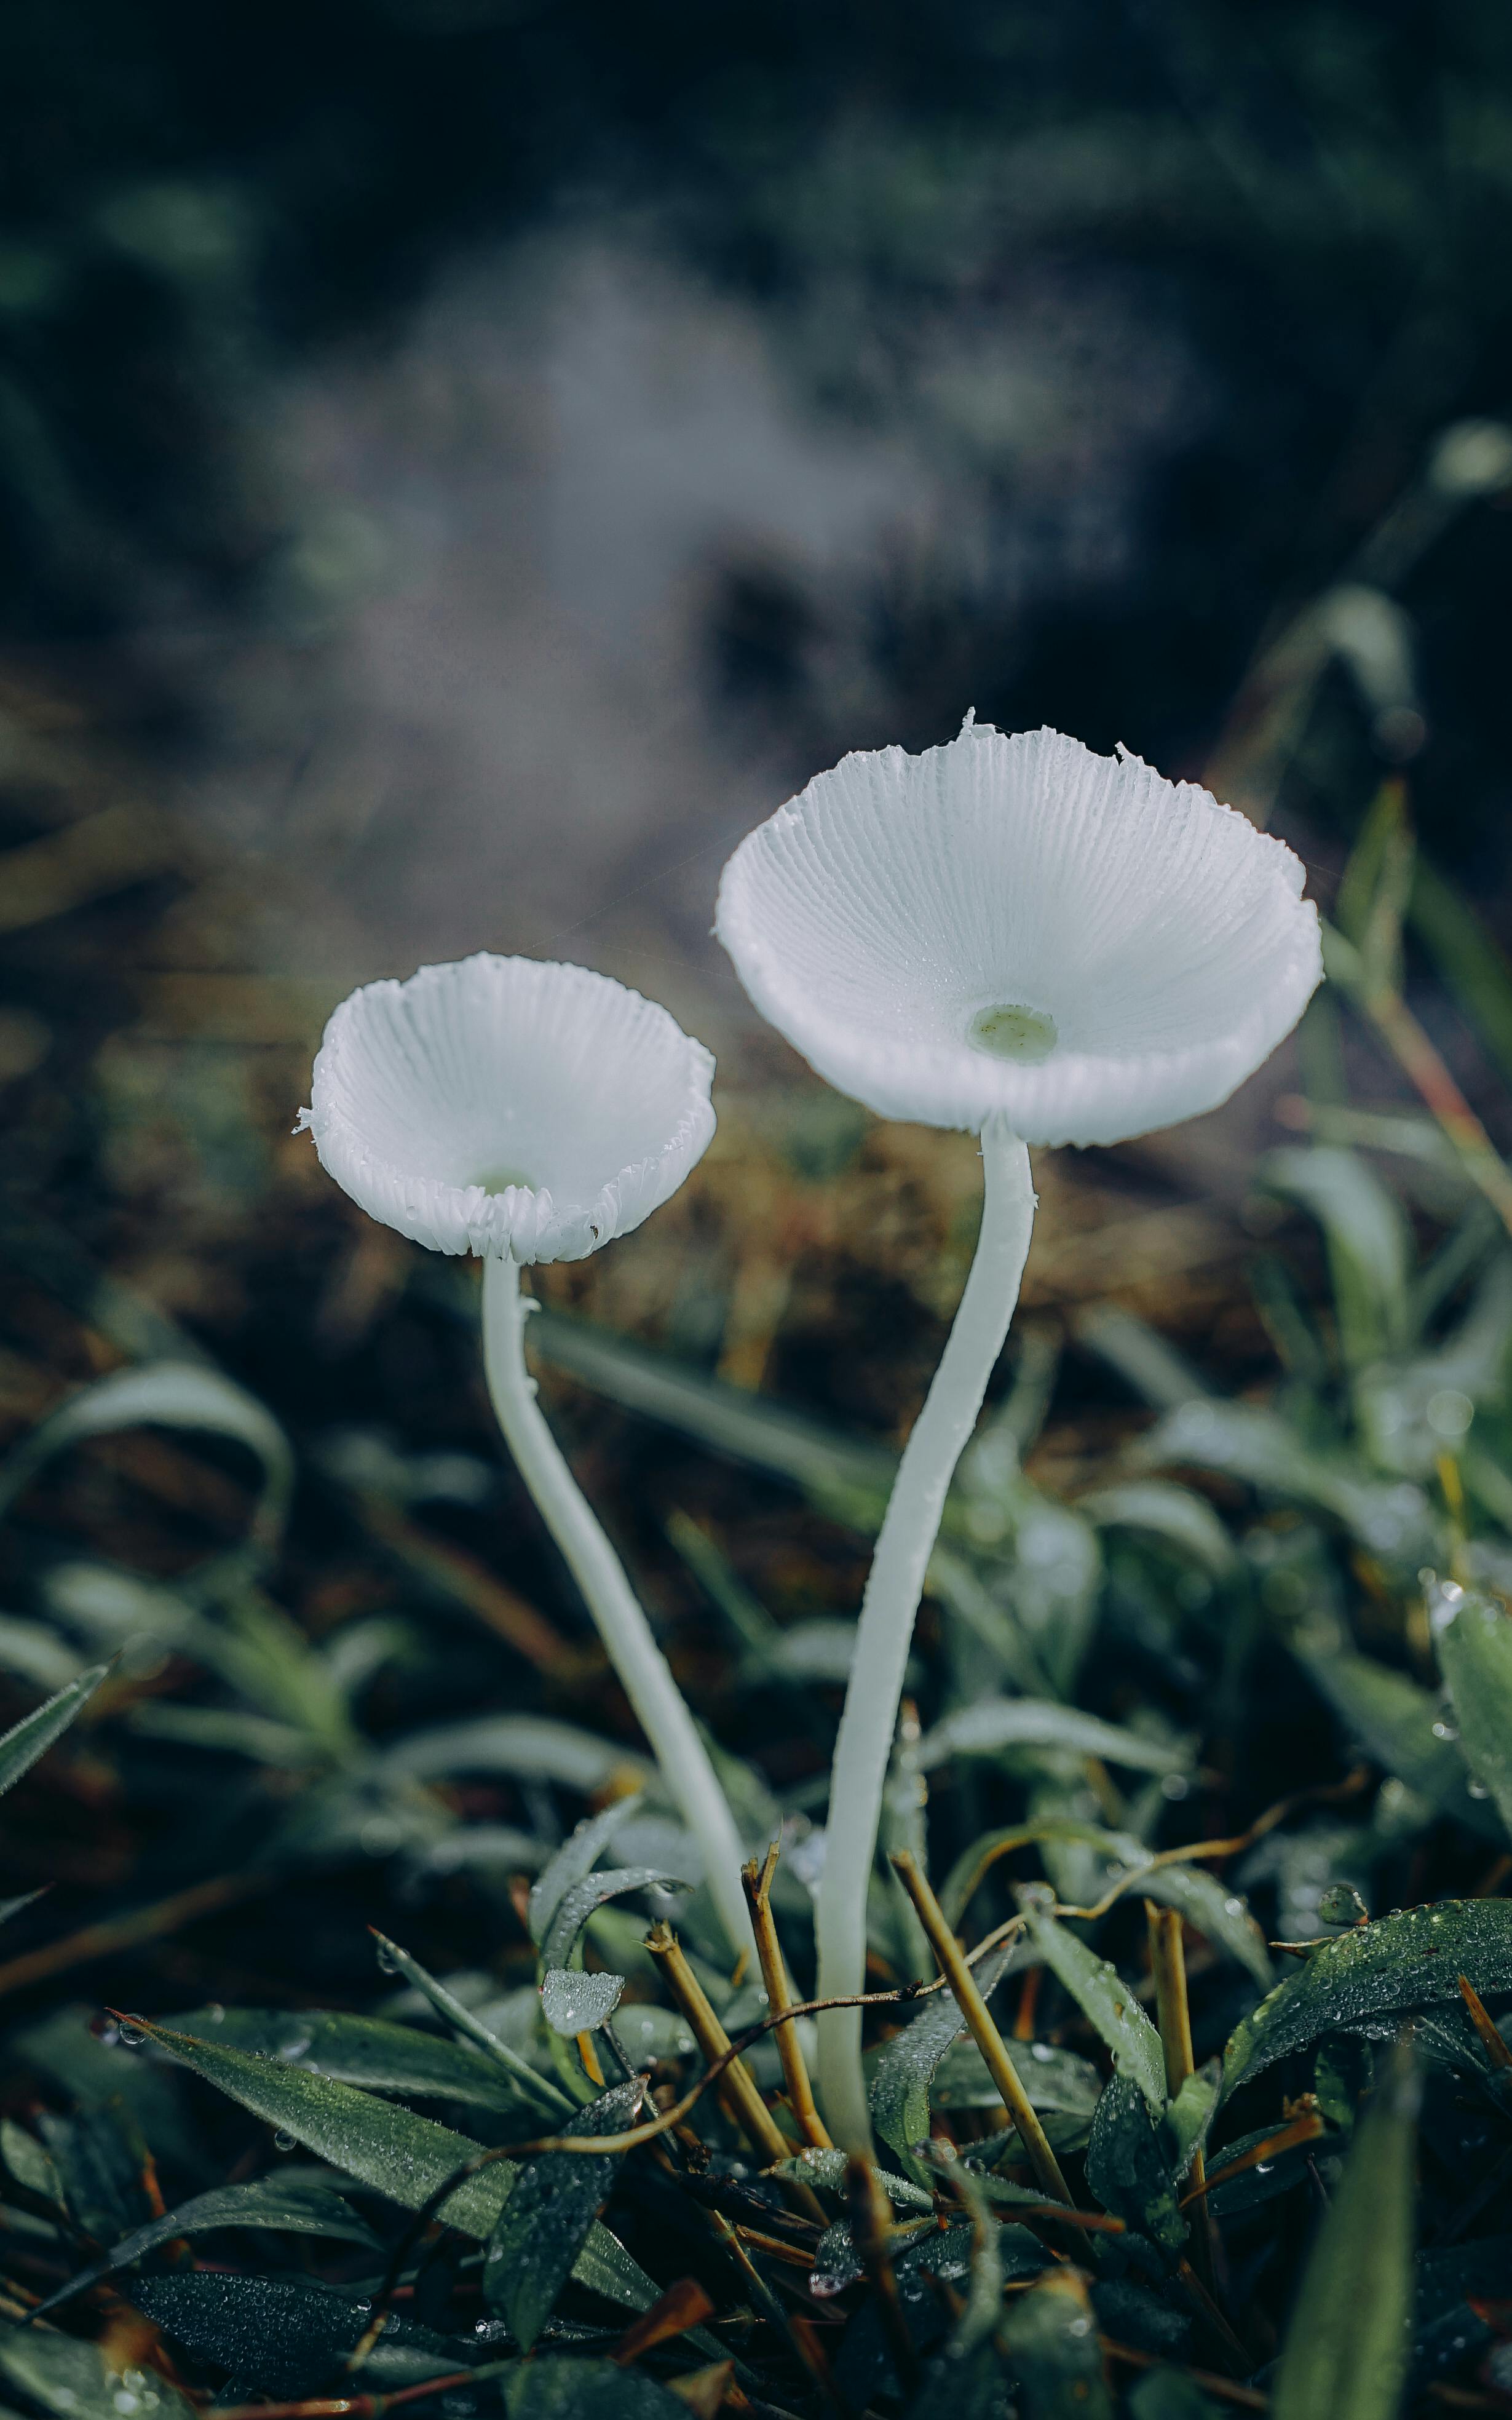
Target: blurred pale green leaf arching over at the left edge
{"x":168,"y":1395}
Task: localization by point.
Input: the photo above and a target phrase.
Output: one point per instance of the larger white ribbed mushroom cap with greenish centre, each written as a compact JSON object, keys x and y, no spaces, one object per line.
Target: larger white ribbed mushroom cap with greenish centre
{"x":1017,"y":926}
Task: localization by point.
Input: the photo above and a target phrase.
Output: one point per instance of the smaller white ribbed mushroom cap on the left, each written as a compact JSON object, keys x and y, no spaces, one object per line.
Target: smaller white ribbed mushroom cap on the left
{"x":509,"y":1107}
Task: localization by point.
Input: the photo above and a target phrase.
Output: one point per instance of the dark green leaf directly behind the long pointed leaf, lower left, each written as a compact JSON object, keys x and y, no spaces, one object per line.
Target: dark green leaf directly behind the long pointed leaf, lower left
{"x":376,"y":2053}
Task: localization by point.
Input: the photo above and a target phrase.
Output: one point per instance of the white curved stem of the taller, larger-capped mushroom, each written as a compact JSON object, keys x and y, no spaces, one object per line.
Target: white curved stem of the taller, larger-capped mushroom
{"x":889,"y":1611}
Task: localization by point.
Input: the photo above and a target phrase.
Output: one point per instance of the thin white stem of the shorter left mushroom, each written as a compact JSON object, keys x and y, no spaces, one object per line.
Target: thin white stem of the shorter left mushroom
{"x":623,"y":1627}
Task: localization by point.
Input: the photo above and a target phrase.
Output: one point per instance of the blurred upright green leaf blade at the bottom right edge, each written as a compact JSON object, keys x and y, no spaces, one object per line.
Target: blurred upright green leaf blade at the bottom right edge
{"x":1346,"y":2349}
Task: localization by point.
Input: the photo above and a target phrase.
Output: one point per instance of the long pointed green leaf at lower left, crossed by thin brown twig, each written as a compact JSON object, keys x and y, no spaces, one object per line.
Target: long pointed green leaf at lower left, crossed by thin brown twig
{"x":391,"y":2150}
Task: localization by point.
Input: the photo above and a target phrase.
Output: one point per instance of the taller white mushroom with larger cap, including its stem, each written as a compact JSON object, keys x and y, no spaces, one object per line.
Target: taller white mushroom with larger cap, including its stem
{"x":1017,"y":938}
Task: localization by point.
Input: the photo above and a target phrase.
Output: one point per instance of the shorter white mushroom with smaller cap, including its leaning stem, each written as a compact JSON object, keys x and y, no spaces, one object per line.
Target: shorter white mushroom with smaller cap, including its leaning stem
{"x":531,"y":1112}
